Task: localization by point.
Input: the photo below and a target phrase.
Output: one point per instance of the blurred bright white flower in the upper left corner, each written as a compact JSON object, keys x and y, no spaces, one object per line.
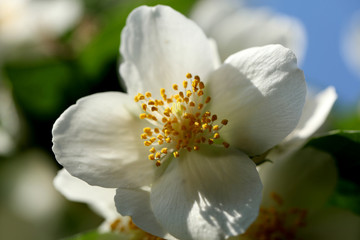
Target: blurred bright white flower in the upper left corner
{"x":31,"y":22}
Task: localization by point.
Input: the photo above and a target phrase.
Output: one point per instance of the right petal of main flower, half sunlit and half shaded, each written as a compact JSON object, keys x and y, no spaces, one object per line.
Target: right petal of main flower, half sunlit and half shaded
{"x":261,"y":92}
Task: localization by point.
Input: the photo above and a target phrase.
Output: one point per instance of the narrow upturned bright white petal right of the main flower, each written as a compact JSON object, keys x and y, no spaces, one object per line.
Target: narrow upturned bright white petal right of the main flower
{"x":315,"y":112}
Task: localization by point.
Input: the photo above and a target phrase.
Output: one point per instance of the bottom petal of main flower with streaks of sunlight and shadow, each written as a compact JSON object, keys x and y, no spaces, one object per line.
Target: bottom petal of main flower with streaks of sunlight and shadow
{"x":210,"y":194}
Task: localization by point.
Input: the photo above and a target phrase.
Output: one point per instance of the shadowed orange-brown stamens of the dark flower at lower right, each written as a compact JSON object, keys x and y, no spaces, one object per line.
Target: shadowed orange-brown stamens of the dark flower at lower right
{"x":277,"y":223}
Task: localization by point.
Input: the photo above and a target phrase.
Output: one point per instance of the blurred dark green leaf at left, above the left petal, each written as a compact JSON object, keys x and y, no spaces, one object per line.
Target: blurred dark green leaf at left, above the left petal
{"x":39,"y":86}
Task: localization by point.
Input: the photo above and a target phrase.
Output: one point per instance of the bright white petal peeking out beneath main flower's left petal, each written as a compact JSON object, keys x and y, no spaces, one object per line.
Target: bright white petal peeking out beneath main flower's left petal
{"x":101,"y":200}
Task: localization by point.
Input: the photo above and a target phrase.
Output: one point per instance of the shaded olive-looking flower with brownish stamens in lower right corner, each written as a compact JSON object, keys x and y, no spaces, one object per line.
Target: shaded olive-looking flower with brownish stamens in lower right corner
{"x":295,"y":194}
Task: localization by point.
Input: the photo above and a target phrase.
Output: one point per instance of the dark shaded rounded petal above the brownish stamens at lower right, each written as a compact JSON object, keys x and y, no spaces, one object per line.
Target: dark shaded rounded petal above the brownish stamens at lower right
{"x":305,"y":179}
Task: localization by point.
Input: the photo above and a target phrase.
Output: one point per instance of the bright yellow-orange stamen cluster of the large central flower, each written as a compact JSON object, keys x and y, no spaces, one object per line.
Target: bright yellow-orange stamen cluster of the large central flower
{"x":181,"y":120}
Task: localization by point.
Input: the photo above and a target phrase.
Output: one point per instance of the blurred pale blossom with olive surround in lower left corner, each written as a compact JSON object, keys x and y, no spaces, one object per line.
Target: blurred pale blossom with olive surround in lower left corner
{"x":30,"y":206}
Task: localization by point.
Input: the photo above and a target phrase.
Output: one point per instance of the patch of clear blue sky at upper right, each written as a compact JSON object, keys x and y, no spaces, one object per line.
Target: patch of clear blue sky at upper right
{"x":325,"y":22}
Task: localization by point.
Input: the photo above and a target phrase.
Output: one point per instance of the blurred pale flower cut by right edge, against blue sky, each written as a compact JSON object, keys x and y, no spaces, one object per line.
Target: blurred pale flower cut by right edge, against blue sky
{"x":351,"y":44}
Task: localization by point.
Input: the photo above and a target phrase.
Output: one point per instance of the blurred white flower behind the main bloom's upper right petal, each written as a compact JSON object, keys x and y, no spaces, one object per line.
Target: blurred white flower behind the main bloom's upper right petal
{"x":235,"y":27}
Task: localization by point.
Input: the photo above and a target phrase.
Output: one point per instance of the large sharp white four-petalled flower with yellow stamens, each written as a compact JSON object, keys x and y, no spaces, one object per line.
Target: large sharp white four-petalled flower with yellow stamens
{"x":199,"y":182}
